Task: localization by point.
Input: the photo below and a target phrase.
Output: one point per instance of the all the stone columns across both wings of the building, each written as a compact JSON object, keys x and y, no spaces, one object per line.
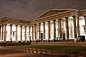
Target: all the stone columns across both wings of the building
{"x":59,"y":31}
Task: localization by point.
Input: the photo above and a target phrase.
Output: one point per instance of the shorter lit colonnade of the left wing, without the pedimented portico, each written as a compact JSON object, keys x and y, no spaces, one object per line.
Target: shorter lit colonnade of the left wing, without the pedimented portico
{"x":3,"y":30}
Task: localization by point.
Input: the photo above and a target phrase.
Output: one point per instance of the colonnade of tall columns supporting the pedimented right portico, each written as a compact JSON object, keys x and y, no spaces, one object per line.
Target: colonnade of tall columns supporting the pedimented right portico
{"x":59,"y":28}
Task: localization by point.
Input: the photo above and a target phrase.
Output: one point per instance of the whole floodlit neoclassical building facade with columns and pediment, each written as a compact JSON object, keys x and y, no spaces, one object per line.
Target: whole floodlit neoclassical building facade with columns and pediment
{"x":59,"y":24}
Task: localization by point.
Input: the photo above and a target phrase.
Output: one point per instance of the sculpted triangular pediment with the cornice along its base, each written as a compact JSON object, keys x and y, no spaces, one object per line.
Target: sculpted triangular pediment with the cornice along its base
{"x":52,"y":12}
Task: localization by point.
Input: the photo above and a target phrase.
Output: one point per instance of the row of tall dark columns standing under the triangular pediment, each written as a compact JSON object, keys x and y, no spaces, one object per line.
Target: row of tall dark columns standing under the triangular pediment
{"x":59,"y":27}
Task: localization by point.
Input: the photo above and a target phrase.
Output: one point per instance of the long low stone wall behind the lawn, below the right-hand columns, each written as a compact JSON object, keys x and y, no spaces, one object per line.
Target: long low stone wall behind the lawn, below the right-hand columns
{"x":60,"y":43}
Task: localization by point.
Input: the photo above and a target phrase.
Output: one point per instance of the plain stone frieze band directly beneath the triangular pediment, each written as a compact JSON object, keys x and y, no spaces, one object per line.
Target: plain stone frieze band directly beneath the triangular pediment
{"x":54,"y":17}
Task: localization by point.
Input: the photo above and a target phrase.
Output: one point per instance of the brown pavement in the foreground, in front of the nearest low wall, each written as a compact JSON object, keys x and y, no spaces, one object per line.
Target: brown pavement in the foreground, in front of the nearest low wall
{"x":8,"y":53}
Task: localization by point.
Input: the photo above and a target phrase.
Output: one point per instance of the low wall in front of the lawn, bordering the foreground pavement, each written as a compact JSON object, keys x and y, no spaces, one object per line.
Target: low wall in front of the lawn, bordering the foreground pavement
{"x":49,"y":52}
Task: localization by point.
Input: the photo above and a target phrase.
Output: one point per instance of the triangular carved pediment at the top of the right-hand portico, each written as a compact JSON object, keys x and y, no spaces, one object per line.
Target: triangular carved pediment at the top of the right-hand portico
{"x":53,"y":12}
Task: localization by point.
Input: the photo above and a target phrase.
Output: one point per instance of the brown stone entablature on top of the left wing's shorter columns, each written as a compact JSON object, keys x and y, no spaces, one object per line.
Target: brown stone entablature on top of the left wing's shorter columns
{"x":13,"y":21}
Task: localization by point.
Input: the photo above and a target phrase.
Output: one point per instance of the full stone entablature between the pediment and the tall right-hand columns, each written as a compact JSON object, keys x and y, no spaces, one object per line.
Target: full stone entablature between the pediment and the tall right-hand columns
{"x":57,"y":16}
